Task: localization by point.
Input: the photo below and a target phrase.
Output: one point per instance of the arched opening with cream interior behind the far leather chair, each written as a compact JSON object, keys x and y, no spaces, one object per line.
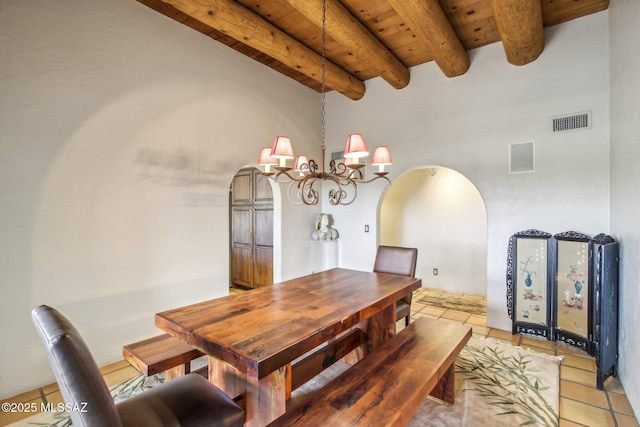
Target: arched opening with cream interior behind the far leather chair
{"x":439,"y":211}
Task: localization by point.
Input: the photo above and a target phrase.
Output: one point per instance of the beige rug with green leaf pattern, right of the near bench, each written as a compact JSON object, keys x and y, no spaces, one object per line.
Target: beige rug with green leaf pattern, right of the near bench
{"x":497,"y":385}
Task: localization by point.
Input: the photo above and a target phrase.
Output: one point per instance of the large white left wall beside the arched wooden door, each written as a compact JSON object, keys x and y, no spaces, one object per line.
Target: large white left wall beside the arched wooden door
{"x":120,"y":131}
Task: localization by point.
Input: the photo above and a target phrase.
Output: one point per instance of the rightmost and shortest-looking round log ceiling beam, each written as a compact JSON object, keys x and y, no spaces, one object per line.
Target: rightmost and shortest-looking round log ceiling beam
{"x":520,"y":25}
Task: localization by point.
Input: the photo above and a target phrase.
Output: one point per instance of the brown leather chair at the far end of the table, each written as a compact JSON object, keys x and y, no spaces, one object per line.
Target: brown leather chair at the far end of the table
{"x":401,"y":261}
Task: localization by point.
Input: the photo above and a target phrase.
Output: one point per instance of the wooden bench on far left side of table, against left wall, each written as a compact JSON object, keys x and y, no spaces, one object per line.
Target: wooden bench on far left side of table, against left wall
{"x":161,"y":353}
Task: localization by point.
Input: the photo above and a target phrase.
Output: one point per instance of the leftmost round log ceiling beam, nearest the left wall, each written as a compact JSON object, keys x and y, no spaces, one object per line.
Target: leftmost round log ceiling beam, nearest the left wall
{"x":243,"y":25}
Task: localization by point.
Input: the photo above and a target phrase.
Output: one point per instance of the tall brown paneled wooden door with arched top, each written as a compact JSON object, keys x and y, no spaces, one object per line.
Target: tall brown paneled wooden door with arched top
{"x":251,"y":229}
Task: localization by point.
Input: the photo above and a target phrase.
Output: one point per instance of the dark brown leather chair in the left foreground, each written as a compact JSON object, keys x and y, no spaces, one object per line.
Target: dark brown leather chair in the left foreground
{"x":189,"y":400}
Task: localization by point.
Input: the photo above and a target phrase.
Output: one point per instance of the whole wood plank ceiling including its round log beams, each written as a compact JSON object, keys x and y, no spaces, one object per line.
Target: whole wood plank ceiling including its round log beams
{"x":373,"y":38}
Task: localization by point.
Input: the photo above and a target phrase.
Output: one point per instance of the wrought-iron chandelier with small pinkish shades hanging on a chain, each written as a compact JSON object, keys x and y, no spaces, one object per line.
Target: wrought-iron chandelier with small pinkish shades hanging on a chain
{"x":306,"y":176}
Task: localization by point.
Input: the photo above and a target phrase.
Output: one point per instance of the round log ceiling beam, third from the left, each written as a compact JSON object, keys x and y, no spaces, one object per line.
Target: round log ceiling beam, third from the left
{"x":428,"y":21}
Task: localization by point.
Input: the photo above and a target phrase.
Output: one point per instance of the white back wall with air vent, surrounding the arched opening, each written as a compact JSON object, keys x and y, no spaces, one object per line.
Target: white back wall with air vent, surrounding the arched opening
{"x":467,"y":123}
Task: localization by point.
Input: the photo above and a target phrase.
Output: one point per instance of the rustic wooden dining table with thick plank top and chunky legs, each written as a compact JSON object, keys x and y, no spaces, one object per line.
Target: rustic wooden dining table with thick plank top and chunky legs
{"x":253,"y":337}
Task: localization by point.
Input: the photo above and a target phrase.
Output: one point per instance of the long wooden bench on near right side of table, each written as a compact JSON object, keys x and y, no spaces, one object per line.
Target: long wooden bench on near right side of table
{"x":389,"y":384}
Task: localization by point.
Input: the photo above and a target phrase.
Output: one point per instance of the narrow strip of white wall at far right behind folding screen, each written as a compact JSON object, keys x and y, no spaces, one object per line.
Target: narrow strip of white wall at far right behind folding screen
{"x":624,"y":16}
